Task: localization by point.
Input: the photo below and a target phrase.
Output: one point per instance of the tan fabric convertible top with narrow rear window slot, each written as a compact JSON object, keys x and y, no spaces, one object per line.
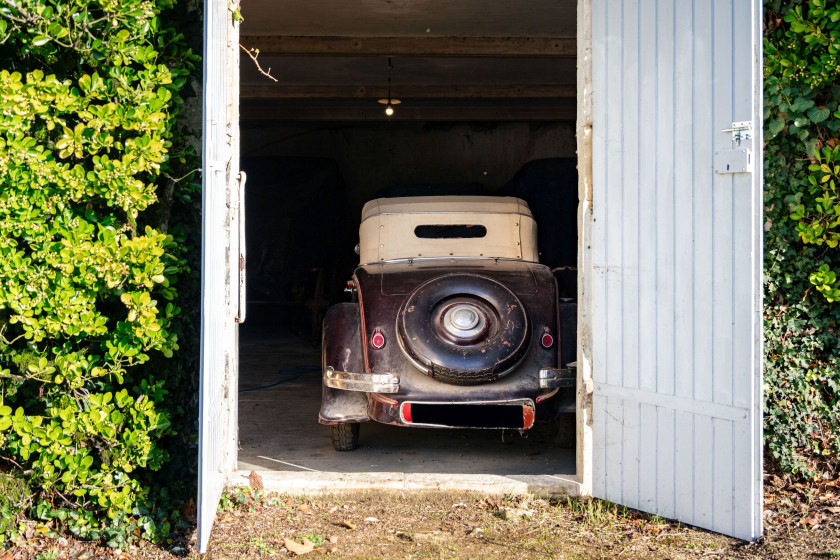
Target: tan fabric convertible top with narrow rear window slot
{"x":389,"y":228}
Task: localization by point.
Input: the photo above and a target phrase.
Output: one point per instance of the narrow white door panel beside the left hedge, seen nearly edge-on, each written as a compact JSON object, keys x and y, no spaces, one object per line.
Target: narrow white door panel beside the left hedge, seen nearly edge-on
{"x":220,"y":266}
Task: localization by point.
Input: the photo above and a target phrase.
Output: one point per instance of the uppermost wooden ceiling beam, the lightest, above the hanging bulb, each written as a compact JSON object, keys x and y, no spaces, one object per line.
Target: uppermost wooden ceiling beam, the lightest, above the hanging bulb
{"x":276,"y":45}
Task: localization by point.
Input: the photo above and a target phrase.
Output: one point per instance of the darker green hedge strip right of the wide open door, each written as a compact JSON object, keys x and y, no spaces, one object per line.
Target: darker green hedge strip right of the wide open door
{"x":802,"y":313}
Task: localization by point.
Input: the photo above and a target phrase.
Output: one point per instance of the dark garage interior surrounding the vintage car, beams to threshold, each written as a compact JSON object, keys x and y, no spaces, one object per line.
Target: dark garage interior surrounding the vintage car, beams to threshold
{"x":487,"y":106}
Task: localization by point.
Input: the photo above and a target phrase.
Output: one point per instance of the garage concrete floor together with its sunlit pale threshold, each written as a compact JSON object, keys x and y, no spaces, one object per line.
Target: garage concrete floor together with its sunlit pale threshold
{"x":281,"y":439}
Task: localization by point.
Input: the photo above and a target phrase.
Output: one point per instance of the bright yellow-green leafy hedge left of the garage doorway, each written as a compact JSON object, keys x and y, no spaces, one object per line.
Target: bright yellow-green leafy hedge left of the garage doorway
{"x":94,"y":171}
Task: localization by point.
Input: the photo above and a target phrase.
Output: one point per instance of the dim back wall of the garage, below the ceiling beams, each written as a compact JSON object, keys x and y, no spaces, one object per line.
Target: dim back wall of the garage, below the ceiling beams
{"x":373,"y":156}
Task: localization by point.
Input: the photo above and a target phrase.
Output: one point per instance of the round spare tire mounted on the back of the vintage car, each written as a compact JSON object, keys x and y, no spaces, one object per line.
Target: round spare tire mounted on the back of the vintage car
{"x":463,"y":329}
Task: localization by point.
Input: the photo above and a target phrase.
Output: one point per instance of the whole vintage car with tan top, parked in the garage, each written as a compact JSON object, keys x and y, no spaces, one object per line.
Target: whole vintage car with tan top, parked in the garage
{"x":453,"y":323}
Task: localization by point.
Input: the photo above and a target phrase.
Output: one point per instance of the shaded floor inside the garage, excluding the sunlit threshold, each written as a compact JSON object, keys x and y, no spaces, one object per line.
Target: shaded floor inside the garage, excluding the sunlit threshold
{"x":279,"y":430}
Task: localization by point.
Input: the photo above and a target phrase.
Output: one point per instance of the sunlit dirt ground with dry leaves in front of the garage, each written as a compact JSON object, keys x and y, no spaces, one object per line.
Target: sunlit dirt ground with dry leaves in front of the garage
{"x":801,"y":521}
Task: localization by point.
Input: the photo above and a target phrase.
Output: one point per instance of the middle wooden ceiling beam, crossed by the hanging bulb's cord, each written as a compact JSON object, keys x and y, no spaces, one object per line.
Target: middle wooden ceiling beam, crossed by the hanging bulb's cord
{"x":469,"y":91}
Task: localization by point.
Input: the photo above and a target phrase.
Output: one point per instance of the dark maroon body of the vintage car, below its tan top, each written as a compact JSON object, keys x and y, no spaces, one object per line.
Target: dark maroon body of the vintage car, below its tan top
{"x":388,"y":356}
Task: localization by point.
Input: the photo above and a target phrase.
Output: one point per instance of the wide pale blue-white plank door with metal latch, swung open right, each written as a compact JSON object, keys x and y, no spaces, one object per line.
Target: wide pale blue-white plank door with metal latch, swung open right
{"x":676,"y":259}
